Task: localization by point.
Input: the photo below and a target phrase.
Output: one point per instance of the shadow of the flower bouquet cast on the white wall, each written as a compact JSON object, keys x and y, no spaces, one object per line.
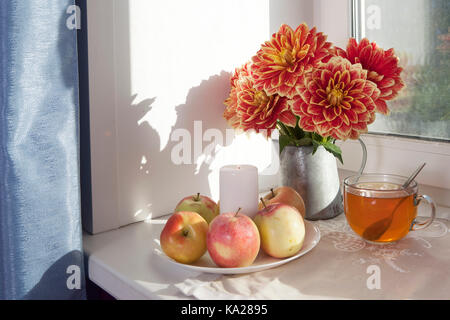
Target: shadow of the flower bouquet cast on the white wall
{"x":150,"y":182}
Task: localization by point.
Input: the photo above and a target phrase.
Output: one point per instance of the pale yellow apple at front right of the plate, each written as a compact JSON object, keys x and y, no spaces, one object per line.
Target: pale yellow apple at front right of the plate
{"x":282,"y":230}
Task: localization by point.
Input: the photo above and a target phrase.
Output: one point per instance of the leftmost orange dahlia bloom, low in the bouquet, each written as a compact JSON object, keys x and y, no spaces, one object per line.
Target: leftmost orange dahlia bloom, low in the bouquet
{"x":252,"y":109}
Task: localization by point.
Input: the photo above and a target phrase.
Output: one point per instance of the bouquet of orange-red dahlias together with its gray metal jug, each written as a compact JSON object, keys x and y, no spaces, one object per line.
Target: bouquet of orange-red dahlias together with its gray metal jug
{"x":313,"y":93}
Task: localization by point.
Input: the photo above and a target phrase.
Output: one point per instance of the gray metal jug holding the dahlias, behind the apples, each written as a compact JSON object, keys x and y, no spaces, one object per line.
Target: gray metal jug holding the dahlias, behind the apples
{"x":315,"y":177}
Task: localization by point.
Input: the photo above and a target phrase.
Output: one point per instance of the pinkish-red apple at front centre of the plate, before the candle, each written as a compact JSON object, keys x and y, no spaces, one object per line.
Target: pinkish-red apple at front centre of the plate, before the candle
{"x":233,"y":240}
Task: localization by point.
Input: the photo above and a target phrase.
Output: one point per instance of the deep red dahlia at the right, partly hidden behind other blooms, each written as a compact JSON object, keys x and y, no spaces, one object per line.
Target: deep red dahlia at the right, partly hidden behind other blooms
{"x":382,"y":67}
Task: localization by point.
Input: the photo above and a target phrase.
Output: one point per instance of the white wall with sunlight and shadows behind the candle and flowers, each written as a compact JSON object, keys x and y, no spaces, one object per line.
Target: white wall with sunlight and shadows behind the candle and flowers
{"x":157,"y":67}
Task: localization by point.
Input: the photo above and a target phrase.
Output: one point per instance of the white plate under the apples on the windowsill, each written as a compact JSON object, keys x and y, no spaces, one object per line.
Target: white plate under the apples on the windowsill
{"x":262,"y":262}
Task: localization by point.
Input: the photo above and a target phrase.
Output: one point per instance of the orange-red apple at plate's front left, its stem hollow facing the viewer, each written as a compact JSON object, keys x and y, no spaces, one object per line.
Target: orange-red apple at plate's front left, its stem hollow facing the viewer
{"x":184,"y":237}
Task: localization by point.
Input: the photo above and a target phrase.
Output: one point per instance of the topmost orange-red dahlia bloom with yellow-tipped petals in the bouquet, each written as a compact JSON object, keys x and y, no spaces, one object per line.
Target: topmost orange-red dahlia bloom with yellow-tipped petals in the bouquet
{"x":282,"y":61}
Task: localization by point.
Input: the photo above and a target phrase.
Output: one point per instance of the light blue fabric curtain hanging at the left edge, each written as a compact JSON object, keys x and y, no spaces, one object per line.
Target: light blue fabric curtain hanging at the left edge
{"x":40,"y":228}
